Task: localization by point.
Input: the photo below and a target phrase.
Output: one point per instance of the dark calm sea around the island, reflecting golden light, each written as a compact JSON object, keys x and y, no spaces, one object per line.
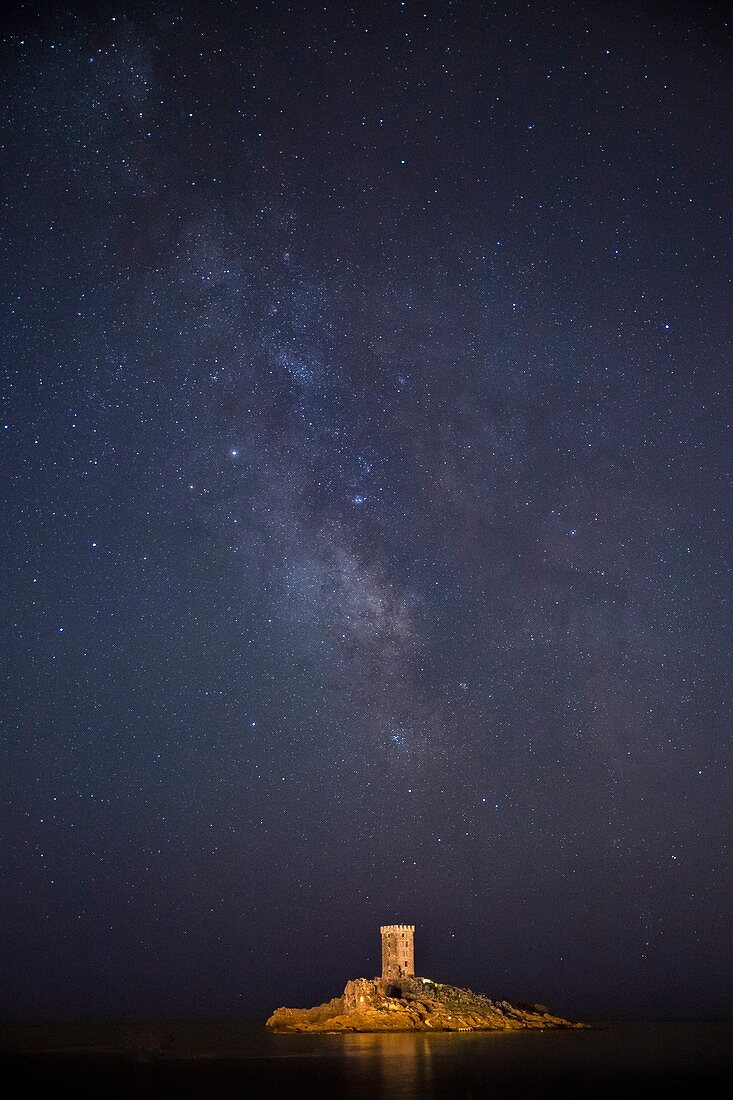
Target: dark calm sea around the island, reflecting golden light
{"x":240,"y":1061}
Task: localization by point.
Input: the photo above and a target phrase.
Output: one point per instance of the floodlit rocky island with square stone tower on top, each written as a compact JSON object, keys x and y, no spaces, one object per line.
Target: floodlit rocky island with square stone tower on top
{"x":400,"y":1002}
